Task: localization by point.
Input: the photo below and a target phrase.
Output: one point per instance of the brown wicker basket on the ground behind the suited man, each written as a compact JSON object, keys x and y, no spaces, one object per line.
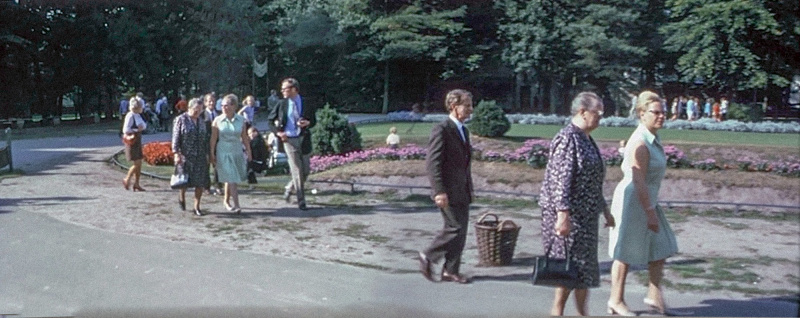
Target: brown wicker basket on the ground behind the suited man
{"x":496,"y":240}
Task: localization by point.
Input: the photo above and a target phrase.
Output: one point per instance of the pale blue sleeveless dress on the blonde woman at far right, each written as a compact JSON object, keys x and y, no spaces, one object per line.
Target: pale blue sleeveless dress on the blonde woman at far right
{"x":630,"y":241}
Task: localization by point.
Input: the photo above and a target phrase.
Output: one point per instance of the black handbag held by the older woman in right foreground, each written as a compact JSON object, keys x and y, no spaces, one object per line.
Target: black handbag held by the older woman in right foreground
{"x":555,"y":272}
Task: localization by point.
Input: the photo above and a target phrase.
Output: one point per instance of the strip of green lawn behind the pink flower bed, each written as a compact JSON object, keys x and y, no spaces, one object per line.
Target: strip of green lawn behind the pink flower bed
{"x":418,"y":133}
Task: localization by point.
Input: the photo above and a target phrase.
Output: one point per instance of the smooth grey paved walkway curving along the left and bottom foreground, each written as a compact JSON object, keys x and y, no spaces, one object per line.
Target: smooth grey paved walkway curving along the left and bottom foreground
{"x":53,"y":268}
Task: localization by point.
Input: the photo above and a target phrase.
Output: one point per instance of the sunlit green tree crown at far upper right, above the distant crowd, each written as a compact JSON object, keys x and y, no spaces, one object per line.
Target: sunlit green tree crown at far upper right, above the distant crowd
{"x":717,"y":40}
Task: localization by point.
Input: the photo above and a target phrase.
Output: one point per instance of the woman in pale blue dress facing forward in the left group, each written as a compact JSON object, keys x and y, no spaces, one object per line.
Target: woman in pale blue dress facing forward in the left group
{"x":228,"y":138}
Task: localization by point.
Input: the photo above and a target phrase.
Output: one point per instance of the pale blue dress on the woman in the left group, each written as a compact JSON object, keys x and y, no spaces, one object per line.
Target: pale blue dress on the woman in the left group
{"x":231,"y":162}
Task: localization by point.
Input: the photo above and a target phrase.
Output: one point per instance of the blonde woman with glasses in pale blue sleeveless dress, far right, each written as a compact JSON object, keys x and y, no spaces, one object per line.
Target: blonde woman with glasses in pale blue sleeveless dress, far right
{"x":642,"y":235}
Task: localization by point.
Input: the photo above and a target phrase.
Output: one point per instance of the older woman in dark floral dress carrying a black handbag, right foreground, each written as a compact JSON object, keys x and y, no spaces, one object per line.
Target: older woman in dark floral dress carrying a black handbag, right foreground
{"x":572,"y":199}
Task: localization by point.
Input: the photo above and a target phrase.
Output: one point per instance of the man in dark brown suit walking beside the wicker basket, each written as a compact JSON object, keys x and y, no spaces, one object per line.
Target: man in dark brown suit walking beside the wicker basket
{"x":448,"y":166}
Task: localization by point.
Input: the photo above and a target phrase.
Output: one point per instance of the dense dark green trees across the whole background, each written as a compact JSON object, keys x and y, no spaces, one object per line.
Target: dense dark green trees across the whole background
{"x":379,"y":56}
